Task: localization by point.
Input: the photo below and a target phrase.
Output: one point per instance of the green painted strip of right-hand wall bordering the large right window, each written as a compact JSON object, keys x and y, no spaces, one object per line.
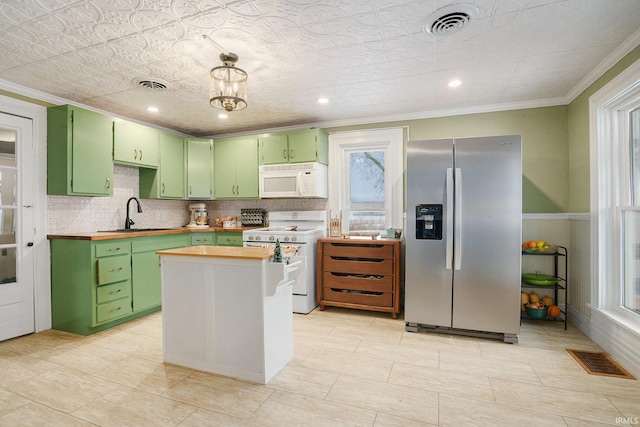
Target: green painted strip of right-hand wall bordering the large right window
{"x":579,"y":176}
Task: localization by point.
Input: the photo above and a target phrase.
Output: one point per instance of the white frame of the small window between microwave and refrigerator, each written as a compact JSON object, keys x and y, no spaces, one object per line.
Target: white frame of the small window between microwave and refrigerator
{"x":341,"y":144}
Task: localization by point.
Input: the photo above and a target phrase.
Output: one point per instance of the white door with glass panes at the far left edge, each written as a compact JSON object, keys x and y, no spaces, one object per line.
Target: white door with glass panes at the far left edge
{"x":17,"y":190}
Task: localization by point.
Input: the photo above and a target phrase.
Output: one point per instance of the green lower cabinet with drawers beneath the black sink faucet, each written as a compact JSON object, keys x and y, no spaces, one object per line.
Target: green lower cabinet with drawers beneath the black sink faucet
{"x":96,"y":285}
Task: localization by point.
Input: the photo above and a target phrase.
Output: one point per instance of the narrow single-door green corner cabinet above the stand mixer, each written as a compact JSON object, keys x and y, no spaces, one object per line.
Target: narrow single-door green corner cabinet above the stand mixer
{"x":199,"y":168}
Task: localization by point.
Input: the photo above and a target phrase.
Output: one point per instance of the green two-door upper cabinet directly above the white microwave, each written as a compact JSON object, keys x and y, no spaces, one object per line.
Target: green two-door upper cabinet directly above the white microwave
{"x":308,"y":145}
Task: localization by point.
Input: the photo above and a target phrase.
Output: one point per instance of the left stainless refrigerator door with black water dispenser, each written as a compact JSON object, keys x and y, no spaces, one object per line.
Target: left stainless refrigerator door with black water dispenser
{"x":428,"y":291}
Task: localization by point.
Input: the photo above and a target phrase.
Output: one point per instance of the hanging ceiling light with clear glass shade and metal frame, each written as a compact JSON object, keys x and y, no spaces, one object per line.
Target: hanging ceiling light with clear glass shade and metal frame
{"x":228,"y":89}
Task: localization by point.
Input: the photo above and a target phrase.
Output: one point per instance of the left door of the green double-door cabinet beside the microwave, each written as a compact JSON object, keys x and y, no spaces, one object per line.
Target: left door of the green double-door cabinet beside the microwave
{"x":224,"y":169}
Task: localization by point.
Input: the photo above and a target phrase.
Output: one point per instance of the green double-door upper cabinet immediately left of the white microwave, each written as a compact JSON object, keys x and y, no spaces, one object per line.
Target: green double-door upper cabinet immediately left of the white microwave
{"x":235,"y":168}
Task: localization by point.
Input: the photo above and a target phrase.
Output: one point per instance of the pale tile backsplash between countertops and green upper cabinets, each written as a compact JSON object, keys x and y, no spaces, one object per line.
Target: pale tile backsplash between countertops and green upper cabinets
{"x":77,"y":214}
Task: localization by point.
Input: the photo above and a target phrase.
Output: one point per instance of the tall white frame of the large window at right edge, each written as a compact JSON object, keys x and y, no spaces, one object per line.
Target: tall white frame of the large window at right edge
{"x":609,"y":112}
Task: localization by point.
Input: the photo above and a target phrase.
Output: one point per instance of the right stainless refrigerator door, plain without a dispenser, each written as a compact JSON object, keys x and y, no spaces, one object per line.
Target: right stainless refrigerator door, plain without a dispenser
{"x":486,"y":290}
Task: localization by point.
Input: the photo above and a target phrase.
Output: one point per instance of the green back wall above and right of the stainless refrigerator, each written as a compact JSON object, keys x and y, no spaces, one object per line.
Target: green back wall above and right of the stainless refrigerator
{"x":545,"y":154}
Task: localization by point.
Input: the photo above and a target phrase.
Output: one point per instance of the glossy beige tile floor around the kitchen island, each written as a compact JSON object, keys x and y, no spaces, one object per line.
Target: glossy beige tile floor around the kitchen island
{"x":350,"y":368}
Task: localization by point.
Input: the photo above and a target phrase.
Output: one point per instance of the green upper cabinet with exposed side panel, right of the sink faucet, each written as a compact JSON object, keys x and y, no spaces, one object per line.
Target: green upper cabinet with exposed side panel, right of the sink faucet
{"x":168,"y":181}
